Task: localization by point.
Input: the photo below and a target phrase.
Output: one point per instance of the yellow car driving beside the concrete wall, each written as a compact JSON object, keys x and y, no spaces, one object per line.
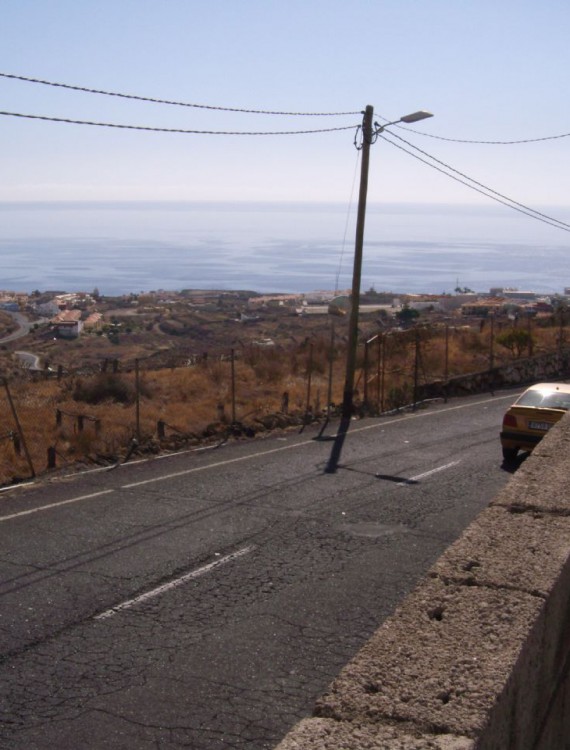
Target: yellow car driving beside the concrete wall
{"x":532,"y":415}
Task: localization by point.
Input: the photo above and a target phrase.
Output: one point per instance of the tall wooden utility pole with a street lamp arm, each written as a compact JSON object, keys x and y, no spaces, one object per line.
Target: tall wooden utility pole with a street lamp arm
{"x":370,"y":133}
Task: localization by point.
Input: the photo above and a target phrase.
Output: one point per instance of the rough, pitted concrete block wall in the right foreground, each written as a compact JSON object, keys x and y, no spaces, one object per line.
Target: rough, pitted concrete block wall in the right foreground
{"x":477,"y":657}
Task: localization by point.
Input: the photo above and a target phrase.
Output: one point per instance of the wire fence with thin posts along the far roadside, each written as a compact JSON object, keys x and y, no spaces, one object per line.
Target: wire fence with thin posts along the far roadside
{"x":103,"y":413}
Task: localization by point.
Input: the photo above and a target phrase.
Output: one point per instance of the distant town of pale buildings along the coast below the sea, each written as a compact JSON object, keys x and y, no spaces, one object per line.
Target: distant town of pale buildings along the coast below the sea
{"x":69,"y":314}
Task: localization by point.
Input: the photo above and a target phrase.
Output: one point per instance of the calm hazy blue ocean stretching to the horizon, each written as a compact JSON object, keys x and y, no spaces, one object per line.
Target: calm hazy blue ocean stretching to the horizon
{"x":123,"y":248}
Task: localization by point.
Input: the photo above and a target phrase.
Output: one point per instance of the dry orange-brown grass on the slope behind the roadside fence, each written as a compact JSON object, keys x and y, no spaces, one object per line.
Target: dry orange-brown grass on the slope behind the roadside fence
{"x":197,"y":401}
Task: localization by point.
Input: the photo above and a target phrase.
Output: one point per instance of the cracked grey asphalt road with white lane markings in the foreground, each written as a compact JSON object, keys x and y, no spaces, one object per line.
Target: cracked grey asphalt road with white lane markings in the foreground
{"x":204,"y":600}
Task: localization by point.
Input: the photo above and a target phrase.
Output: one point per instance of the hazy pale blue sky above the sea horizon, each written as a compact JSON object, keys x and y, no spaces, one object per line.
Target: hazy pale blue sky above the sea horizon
{"x":494,"y":70}
